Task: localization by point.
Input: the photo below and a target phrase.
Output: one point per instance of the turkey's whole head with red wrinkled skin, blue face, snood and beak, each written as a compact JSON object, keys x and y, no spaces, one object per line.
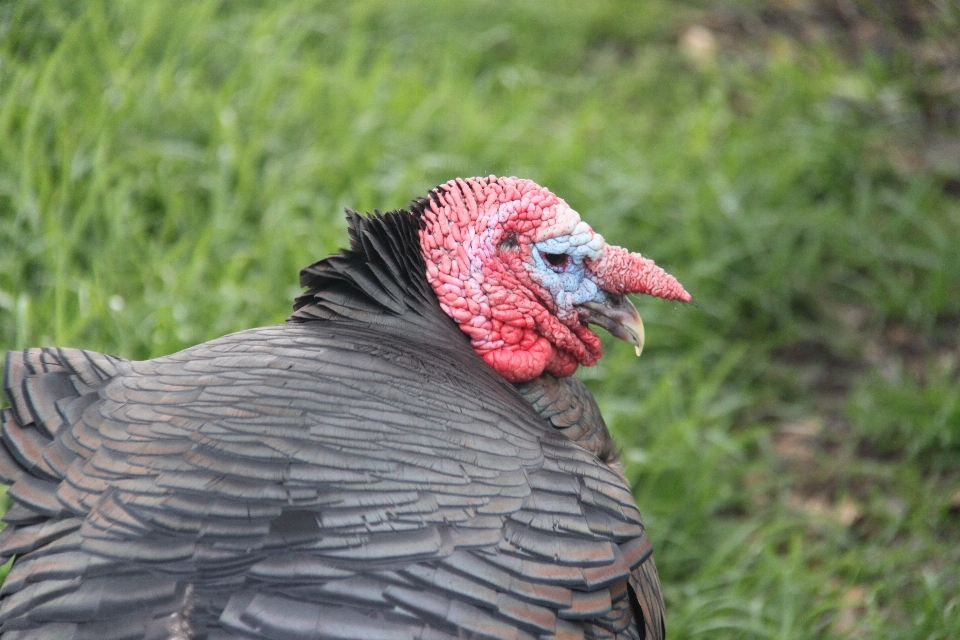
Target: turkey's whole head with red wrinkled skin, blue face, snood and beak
{"x":523,"y":276}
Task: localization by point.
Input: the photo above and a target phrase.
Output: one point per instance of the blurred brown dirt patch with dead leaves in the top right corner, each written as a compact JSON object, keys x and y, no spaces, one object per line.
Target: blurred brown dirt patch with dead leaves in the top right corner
{"x":919,"y":41}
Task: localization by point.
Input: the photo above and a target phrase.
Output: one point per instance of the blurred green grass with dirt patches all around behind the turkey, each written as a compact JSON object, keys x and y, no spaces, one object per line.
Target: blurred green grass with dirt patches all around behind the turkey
{"x":794,"y":444}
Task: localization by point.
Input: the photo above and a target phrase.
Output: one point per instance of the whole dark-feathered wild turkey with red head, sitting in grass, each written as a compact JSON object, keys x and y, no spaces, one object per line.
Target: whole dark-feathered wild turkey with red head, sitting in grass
{"x":367,"y":470}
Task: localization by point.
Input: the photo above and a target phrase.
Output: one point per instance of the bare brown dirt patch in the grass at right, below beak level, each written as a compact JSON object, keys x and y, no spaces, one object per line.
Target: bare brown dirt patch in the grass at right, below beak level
{"x":835,"y":469}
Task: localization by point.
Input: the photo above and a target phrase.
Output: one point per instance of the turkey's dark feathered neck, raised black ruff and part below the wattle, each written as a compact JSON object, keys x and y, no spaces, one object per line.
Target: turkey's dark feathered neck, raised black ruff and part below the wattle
{"x":380,"y":282}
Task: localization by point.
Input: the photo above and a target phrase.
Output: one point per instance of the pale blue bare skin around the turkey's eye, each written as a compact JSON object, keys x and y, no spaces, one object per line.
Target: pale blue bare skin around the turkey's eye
{"x":568,"y":281}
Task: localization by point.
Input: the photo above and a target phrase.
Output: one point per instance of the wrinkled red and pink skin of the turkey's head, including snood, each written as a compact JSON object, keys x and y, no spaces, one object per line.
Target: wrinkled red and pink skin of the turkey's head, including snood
{"x":477,"y":240}
